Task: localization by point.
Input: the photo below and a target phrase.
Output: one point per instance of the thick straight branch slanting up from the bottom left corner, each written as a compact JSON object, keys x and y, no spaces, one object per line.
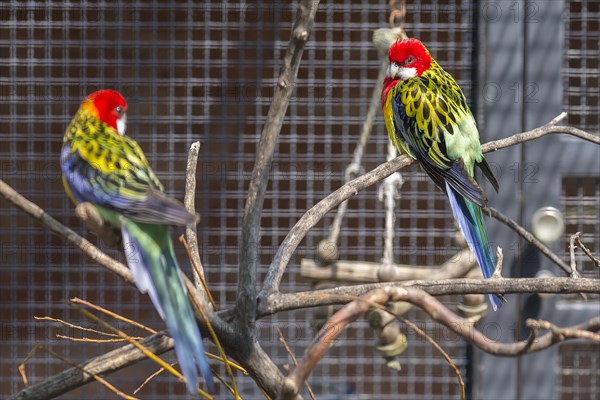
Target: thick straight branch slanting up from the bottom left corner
{"x":105,"y":364}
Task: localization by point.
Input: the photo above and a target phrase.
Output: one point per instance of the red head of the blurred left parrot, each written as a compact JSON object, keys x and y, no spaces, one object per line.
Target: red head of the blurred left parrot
{"x":109,"y":107}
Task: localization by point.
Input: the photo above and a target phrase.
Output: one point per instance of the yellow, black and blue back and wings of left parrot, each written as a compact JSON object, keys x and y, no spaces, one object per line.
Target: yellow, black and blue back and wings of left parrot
{"x":110,"y":170}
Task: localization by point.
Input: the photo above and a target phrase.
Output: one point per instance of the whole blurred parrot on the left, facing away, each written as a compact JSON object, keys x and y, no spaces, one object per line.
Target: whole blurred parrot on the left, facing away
{"x":102,"y":166}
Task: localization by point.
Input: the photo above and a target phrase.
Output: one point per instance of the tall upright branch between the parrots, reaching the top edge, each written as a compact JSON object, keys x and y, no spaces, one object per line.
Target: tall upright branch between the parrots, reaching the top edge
{"x":246,"y":302}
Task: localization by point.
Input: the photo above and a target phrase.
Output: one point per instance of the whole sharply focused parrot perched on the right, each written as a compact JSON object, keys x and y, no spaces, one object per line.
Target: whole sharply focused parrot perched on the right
{"x":427,"y":117}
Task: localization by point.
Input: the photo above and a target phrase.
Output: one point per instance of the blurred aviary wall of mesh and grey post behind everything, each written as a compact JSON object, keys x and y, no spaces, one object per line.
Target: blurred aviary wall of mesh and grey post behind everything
{"x":207,"y":71}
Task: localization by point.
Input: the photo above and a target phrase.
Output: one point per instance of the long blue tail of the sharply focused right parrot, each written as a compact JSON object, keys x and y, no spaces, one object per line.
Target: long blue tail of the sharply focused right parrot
{"x":470,"y":220}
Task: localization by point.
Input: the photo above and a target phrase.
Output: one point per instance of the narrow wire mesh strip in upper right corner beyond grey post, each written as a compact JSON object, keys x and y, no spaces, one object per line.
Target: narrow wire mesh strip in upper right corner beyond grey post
{"x":582,"y":64}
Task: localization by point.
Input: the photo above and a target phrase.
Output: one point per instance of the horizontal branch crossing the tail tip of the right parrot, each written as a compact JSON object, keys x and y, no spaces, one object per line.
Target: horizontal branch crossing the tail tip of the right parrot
{"x":279,"y":302}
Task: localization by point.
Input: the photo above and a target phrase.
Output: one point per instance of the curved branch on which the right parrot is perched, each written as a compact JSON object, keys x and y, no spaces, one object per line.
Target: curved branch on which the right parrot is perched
{"x":318,"y":211}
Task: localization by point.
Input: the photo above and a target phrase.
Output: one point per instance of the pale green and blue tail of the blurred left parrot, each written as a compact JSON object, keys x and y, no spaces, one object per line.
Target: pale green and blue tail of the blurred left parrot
{"x":151,"y":257}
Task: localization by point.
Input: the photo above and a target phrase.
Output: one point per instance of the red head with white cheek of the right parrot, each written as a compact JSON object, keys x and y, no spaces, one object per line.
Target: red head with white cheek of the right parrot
{"x":408,"y":58}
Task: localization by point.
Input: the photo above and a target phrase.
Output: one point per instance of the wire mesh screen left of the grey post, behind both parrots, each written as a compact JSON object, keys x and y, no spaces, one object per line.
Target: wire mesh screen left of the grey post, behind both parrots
{"x":206,"y":71}
